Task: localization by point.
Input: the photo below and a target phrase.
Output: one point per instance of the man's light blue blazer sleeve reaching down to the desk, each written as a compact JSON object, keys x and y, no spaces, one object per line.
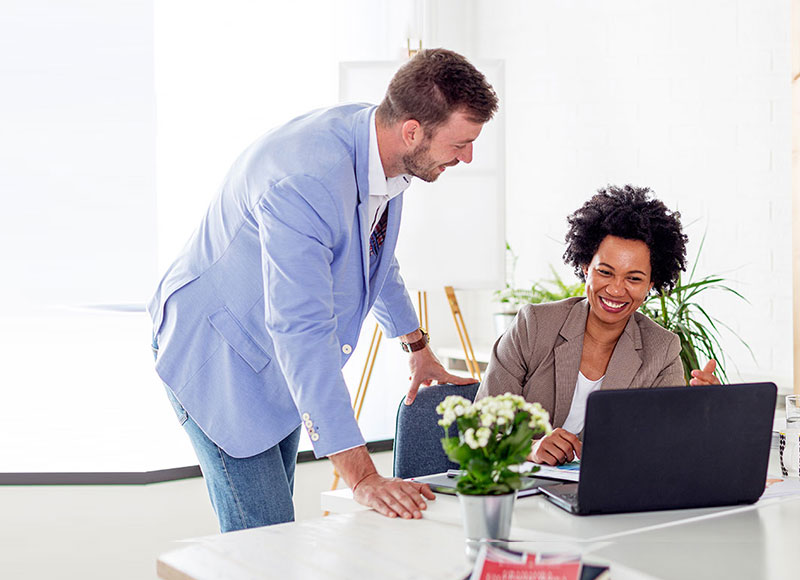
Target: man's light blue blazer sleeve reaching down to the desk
{"x":297,"y":252}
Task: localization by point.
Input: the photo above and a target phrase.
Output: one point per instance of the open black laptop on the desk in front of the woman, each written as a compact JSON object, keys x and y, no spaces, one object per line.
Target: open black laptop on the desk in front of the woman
{"x":670,"y":448}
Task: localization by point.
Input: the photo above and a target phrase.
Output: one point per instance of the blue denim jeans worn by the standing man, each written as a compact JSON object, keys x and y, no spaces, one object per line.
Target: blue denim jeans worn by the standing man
{"x":245,"y":492}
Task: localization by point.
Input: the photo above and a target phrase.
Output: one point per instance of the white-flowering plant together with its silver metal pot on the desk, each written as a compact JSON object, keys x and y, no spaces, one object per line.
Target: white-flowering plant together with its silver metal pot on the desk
{"x":493,"y":441}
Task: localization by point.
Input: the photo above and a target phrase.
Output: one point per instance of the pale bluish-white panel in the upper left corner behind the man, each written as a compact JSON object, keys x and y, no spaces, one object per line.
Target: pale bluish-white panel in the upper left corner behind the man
{"x":77,"y":152}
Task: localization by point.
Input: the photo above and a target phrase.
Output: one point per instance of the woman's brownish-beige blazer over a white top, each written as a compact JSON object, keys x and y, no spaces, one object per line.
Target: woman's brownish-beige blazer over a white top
{"x":539,"y":356}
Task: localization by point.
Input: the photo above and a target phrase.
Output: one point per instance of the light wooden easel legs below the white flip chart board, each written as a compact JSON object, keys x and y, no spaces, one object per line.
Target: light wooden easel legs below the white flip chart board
{"x":377,"y":334}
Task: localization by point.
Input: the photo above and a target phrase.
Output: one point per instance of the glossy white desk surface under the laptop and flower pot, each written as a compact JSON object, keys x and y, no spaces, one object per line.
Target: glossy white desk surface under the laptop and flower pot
{"x":739,"y":542}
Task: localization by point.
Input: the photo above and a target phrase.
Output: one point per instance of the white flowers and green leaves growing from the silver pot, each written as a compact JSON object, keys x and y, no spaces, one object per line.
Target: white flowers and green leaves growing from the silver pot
{"x":494,"y":439}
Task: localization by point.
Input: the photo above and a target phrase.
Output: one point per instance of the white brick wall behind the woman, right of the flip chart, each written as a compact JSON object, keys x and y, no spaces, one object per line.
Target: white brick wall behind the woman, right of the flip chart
{"x":689,"y":98}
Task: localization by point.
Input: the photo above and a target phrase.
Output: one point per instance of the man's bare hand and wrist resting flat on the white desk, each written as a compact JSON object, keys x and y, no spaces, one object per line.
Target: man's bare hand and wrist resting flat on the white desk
{"x":389,"y":496}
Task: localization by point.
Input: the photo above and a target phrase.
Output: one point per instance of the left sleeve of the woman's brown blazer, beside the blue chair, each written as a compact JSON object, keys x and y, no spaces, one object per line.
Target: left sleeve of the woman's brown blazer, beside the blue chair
{"x":508,"y":363}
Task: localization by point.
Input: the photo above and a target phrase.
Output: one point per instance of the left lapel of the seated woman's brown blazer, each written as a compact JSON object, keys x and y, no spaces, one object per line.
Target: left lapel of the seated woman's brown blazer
{"x":567,"y":357}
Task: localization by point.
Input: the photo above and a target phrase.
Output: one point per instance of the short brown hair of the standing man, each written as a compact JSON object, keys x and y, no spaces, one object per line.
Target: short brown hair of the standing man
{"x":434,"y":84}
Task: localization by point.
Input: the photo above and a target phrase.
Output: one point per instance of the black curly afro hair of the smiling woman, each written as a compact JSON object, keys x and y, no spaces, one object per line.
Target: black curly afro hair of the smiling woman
{"x":628,"y":212}
